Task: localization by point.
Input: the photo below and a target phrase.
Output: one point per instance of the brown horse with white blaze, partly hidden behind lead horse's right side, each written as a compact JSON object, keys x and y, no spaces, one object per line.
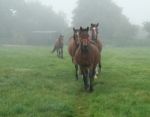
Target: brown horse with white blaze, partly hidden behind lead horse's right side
{"x":95,"y":38}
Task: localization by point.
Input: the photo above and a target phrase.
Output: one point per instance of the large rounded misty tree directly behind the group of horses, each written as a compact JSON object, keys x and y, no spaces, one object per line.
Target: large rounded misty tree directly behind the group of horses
{"x":114,"y":26}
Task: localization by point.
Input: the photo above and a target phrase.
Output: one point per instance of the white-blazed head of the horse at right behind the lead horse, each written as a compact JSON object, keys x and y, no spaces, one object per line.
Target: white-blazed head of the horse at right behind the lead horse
{"x":94,"y":31}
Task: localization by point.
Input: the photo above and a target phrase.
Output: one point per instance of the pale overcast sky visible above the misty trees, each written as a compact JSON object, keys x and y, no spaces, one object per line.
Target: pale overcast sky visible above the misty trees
{"x":137,"y":11}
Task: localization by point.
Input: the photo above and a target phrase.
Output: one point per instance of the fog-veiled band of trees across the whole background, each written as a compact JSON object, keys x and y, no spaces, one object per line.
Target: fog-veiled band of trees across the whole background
{"x":32,"y":22}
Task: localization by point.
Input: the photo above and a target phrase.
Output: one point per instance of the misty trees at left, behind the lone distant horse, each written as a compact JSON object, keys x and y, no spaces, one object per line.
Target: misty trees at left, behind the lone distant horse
{"x":29,"y":23}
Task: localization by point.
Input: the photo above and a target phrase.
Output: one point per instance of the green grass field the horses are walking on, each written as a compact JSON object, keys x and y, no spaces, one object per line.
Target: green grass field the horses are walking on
{"x":35,"y":83}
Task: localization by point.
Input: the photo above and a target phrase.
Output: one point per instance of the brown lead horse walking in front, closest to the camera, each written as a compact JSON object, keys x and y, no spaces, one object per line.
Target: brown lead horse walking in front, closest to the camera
{"x":87,"y":57}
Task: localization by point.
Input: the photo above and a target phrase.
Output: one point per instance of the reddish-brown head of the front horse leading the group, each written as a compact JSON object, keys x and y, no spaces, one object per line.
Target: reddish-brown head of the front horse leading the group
{"x":84,"y":38}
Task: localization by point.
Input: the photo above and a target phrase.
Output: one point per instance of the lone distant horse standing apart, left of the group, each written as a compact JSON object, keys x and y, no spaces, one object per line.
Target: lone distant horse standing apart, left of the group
{"x":59,"y":46}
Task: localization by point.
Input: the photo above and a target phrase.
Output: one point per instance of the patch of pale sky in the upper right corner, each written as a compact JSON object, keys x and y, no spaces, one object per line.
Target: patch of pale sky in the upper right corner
{"x":137,"y":11}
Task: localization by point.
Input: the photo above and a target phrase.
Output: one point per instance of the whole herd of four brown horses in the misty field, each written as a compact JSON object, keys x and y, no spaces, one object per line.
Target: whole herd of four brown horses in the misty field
{"x":85,"y":48}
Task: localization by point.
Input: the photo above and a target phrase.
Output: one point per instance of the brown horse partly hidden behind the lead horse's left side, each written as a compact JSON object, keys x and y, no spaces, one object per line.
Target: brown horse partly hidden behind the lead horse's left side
{"x":72,"y":47}
